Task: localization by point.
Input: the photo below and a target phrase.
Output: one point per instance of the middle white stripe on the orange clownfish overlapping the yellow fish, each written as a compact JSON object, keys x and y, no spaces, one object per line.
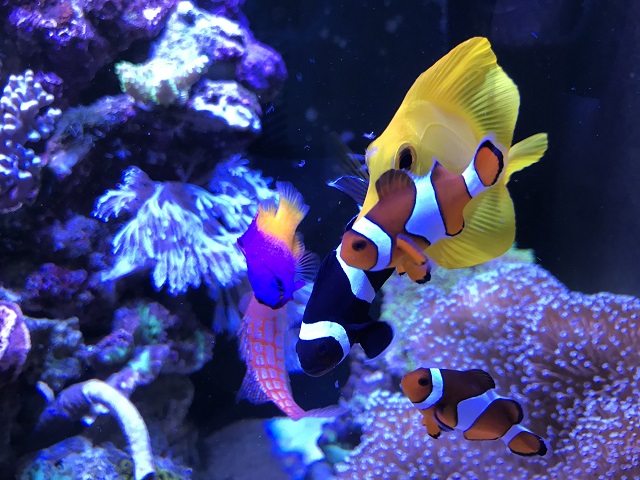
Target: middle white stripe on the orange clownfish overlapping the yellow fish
{"x":426,"y":220}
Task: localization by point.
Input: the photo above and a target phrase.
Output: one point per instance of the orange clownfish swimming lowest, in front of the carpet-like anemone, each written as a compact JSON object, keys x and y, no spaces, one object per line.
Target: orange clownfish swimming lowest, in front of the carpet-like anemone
{"x":466,"y":401}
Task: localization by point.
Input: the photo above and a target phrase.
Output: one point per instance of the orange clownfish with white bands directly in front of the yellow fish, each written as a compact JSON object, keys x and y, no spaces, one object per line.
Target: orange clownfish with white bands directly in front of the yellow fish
{"x":415,"y":212}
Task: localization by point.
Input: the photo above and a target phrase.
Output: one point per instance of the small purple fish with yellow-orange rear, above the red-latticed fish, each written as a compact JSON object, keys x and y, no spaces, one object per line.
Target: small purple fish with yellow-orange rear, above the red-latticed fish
{"x":277,"y":262}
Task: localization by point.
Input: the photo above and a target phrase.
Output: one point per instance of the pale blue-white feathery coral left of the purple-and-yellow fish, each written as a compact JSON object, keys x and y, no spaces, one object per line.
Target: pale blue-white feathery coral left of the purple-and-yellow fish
{"x":185,"y":233}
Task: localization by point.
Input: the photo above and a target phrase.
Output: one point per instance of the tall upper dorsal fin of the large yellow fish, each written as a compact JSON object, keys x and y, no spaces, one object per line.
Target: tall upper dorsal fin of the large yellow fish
{"x":469,"y":83}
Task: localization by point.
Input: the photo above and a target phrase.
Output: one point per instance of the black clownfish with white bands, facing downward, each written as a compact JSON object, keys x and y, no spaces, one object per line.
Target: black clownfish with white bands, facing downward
{"x":337,"y":316}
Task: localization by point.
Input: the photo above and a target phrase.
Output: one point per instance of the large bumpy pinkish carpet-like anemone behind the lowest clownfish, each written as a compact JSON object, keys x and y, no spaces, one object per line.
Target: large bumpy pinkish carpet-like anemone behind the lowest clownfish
{"x":571,"y":360}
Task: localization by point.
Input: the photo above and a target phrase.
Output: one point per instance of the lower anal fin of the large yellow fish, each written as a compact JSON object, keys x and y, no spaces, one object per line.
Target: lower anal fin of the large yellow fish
{"x":489,"y":231}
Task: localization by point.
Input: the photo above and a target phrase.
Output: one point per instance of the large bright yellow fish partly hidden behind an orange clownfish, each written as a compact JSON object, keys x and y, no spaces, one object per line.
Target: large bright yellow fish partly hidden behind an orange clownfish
{"x":462,"y":99}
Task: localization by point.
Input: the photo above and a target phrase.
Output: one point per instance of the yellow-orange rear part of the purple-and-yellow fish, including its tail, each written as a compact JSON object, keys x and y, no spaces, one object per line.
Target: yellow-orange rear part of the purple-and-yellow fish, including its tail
{"x":283,"y":222}
